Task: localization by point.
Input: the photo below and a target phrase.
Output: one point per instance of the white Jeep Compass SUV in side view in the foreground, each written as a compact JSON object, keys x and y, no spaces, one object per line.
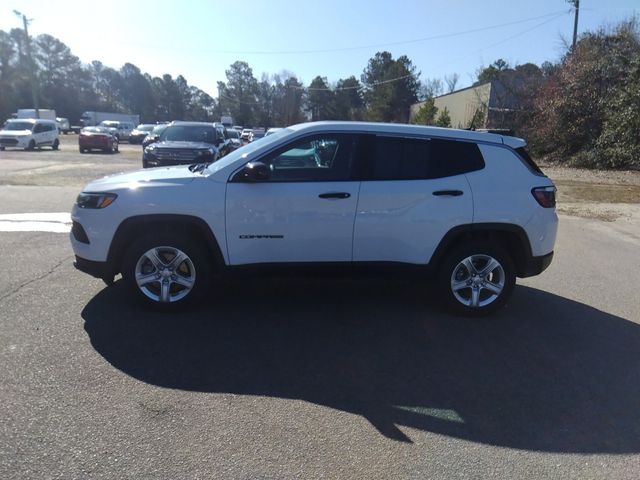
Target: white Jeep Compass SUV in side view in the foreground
{"x":471,"y":209}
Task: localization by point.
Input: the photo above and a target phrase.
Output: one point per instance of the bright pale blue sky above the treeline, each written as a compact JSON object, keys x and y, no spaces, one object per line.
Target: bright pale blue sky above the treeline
{"x":200,"y":39}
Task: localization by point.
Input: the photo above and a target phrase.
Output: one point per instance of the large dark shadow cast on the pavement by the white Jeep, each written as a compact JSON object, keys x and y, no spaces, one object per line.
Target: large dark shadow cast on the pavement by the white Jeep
{"x":546,"y":373}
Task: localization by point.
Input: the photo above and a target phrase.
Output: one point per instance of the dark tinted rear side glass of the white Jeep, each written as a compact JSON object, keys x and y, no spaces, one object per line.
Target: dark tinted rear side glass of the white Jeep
{"x":415,"y":159}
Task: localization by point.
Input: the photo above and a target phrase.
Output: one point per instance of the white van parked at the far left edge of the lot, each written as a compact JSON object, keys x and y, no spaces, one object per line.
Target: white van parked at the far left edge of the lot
{"x":29,"y":133}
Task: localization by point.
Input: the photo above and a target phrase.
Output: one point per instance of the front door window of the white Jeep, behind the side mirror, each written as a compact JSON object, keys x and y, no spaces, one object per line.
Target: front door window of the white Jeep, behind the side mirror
{"x":319,"y":158}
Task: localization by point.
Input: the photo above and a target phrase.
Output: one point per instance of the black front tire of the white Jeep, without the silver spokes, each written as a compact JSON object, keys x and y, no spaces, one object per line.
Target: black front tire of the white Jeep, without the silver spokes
{"x":197,"y":267}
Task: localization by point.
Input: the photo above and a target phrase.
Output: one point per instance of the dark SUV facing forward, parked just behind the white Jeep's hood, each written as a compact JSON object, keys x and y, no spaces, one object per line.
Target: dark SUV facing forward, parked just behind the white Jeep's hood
{"x":183,"y":143}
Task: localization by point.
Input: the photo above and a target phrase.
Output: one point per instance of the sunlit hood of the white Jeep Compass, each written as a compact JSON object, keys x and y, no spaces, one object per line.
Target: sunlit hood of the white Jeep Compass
{"x":149,"y":177}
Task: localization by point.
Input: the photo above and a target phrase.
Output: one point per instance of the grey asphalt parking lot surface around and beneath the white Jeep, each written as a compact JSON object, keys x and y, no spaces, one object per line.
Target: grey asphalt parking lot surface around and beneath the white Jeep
{"x":310,"y":377}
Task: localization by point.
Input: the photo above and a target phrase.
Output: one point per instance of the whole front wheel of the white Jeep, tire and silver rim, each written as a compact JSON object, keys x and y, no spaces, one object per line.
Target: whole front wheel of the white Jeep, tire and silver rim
{"x":166,"y":271}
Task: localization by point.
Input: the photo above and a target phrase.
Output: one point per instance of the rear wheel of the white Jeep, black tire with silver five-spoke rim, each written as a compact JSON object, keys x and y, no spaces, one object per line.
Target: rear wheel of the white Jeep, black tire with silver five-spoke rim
{"x":453,"y":273}
